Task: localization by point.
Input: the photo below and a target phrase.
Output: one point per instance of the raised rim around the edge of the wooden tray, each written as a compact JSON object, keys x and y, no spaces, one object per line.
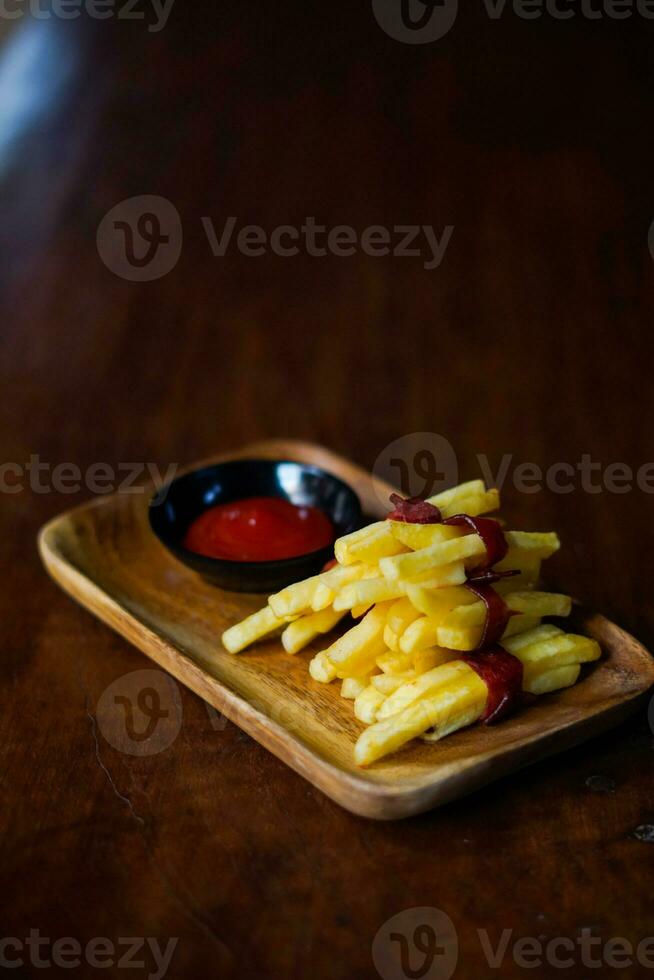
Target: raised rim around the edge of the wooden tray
{"x":360,"y":795}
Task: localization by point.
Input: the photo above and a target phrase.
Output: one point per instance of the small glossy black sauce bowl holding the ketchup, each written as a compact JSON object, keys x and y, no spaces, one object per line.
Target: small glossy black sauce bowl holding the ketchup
{"x":177,"y":505}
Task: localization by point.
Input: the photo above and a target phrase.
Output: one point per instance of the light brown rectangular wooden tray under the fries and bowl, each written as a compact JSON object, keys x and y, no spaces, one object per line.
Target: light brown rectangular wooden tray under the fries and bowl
{"x":105,"y":556}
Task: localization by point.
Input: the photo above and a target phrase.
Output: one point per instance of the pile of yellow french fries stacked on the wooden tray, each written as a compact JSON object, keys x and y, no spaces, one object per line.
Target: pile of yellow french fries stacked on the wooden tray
{"x":404,"y":584}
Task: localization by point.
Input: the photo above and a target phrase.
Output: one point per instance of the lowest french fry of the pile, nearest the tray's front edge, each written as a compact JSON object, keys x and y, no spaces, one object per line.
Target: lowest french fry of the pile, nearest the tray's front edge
{"x":459,"y":704}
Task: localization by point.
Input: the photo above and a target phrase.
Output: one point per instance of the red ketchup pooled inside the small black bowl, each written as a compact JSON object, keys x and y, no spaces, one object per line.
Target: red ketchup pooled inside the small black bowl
{"x":259,"y":529}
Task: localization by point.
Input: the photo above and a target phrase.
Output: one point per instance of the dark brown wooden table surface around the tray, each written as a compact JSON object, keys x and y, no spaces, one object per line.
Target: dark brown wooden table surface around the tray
{"x":533,"y":338}
